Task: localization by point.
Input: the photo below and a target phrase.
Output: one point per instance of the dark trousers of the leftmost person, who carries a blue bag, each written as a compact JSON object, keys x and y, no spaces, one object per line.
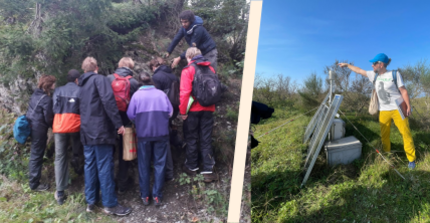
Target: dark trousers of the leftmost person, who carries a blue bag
{"x":38,"y":145}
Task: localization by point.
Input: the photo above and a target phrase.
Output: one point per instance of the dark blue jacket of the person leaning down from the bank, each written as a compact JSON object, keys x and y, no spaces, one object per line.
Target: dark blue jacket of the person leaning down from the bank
{"x":195,"y":33}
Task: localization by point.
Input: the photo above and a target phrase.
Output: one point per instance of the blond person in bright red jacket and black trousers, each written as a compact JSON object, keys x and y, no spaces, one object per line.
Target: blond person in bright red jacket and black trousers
{"x":198,"y":122}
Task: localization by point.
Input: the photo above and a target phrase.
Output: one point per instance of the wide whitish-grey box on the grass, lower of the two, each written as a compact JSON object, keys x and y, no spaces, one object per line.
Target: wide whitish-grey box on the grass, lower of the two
{"x":343,"y":151}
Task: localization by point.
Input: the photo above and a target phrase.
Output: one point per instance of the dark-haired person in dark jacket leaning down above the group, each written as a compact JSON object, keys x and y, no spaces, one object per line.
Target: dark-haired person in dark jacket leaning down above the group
{"x":195,"y":35}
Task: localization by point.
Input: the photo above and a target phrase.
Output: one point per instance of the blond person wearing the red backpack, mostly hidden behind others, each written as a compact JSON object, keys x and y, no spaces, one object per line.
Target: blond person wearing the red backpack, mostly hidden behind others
{"x":125,"y":66}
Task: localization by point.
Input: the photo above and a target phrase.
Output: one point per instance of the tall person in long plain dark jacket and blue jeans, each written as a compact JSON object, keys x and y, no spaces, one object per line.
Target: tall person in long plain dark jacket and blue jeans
{"x":99,"y":121}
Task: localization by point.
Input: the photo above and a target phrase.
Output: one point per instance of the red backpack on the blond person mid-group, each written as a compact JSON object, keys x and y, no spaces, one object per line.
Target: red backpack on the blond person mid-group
{"x":121,"y":91}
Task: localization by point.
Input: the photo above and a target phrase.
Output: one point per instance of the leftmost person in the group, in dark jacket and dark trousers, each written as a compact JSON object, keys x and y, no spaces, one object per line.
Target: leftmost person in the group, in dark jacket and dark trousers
{"x":40,"y":117}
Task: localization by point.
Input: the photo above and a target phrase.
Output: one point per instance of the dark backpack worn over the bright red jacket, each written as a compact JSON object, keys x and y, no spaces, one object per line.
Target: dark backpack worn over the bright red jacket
{"x":206,"y":86}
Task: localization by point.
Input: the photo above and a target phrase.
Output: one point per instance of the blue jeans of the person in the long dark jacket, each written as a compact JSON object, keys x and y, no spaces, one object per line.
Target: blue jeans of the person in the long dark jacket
{"x":99,"y":174}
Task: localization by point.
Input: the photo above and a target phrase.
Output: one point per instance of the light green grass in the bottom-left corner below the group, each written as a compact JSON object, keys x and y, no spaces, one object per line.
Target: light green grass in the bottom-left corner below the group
{"x":19,"y":204}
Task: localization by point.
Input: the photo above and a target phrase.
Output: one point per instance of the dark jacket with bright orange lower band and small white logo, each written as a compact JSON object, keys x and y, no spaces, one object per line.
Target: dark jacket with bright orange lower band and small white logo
{"x":66,"y":109}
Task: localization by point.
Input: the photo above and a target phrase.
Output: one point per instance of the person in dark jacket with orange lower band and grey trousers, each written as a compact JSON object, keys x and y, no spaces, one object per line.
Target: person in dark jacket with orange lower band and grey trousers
{"x":67,"y":124}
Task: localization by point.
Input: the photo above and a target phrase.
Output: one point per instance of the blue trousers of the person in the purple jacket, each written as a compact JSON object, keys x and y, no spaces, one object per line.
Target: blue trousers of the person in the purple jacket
{"x":157,"y":151}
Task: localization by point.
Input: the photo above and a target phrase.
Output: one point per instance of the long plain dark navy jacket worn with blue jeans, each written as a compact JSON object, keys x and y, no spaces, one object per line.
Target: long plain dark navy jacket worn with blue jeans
{"x":99,"y":113}
